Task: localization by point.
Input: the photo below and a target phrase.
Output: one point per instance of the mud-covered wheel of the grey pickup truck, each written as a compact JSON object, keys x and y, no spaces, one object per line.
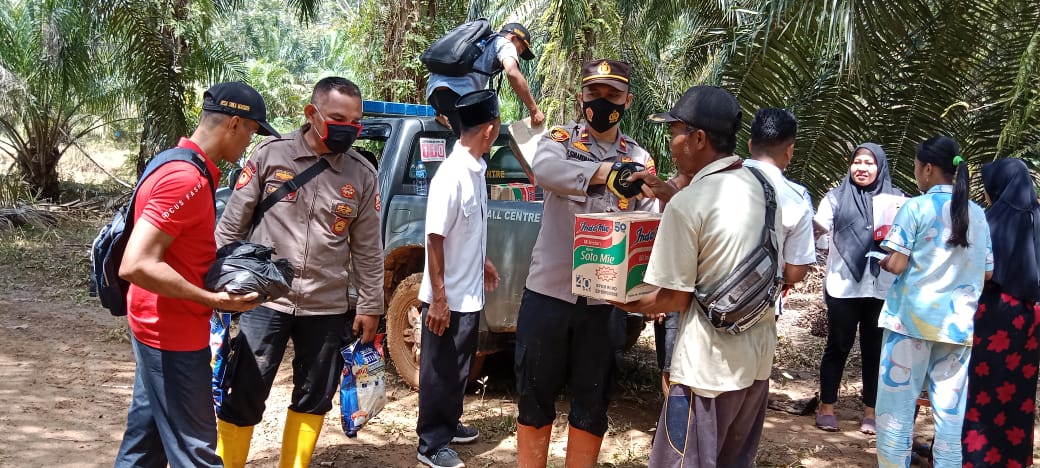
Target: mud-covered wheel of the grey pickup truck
{"x":405,"y":329}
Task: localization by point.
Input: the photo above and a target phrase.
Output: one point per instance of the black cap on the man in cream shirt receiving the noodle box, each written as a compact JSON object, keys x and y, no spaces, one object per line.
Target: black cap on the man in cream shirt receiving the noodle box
{"x":710,"y":109}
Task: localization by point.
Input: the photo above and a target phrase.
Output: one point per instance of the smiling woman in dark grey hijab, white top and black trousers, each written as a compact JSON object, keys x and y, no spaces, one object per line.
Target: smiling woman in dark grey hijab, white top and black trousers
{"x":855,"y":287}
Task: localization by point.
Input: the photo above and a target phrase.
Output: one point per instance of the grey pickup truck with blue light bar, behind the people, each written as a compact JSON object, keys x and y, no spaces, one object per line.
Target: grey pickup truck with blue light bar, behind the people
{"x":399,"y":136}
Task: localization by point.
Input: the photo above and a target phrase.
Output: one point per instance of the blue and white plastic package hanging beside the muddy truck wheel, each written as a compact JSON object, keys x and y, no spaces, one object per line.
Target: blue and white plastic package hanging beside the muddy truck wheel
{"x":363,"y":393}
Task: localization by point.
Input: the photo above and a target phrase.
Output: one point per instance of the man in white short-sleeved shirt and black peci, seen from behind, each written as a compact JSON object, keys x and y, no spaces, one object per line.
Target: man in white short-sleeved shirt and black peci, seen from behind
{"x":457,"y":274}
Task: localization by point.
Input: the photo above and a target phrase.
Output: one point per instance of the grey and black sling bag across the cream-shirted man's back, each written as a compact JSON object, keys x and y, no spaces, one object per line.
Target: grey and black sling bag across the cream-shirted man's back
{"x":741,"y":299}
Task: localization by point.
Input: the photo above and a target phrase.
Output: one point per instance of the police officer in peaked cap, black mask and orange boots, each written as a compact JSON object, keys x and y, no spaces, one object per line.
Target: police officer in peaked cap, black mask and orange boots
{"x":564,"y":340}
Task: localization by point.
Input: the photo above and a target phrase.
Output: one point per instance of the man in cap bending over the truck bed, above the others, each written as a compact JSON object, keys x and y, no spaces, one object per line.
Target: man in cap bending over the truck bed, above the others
{"x":501,"y":56}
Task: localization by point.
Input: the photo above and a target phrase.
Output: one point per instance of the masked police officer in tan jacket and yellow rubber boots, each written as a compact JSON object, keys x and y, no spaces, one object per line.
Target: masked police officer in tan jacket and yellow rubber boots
{"x":328,"y":223}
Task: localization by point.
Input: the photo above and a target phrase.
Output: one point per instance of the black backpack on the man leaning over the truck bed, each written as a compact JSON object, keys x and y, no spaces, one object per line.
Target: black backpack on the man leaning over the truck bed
{"x":455,"y":54}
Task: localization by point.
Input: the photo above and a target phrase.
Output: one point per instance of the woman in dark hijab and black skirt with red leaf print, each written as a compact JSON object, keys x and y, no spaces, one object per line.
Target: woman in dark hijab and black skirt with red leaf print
{"x":1003,"y":371}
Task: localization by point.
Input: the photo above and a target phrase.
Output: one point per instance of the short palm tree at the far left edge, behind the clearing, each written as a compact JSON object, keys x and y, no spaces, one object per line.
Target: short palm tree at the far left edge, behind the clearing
{"x":53,"y":83}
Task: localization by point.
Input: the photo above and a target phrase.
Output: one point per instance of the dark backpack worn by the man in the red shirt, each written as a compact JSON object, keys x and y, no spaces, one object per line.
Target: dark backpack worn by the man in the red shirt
{"x":107,"y":252}
